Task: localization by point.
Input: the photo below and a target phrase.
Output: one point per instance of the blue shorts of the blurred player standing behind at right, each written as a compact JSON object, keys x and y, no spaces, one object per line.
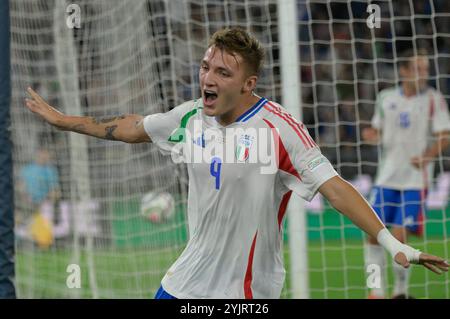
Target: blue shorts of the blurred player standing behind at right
{"x":399,"y":207}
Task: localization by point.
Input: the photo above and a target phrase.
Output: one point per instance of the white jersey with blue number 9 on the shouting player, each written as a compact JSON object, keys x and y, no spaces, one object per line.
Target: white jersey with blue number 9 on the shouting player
{"x":236,"y":204}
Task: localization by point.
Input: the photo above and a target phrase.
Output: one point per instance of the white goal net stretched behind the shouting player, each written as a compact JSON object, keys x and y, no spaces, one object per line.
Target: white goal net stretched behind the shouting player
{"x":143,"y":57}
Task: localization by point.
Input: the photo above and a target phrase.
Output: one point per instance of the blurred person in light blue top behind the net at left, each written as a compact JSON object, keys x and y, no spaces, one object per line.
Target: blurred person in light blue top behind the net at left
{"x":39,"y":192}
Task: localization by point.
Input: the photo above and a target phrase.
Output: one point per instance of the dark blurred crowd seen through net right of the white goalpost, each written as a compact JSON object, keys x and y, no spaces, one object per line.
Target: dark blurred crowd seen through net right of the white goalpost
{"x":344,"y":64}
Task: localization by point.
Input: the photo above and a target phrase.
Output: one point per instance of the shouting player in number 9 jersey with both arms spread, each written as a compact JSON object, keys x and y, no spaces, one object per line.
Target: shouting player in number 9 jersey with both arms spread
{"x":235,"y":208}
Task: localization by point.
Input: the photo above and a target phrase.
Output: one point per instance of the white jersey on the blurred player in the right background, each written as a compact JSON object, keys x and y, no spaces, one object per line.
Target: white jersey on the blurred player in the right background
{"x":407,"y":125}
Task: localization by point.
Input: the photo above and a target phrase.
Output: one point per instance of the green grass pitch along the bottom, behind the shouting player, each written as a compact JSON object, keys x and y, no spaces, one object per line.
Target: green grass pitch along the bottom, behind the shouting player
{"x":334,"y":273}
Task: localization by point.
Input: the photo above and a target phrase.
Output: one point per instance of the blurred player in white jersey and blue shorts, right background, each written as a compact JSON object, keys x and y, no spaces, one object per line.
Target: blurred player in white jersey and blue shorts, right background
{"x":406,"y":118}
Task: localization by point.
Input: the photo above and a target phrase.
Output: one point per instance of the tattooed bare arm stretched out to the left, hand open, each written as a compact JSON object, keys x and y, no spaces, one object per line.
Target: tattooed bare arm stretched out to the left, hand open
{"x":127,"y":128}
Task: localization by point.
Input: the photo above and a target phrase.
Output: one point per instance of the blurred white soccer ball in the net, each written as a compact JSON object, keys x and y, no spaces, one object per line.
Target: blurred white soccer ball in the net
{"x":157,"y":207}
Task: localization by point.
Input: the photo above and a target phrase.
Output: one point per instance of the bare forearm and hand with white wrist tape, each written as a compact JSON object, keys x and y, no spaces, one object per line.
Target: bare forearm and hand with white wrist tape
{"x":347,"y":200}
